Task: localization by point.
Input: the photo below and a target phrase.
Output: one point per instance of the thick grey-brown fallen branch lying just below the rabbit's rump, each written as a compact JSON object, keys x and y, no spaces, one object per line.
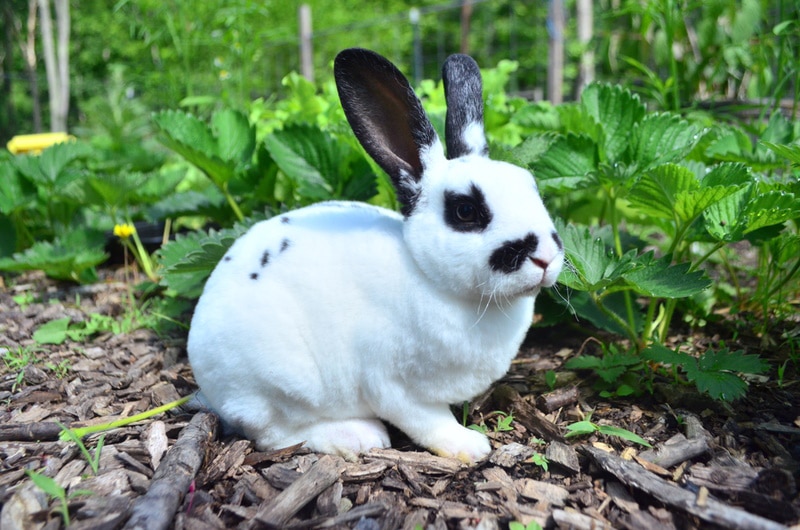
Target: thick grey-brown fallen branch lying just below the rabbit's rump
{"x":156,"y":509}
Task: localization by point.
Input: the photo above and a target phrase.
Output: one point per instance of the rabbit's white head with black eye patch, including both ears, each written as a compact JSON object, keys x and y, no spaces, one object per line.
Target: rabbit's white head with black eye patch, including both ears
{"x":475,"y":226}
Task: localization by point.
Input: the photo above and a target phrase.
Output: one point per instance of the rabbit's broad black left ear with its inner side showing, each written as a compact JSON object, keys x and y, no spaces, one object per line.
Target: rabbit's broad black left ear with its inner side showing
{"x":387,"y":118}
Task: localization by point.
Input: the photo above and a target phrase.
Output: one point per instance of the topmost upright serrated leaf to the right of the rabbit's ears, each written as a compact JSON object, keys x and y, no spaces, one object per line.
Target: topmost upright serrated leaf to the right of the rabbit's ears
{"x":617,"y":110}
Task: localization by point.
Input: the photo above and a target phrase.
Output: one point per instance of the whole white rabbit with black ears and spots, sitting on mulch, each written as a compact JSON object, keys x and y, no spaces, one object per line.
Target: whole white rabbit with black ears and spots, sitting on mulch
{"x":321,"y":324}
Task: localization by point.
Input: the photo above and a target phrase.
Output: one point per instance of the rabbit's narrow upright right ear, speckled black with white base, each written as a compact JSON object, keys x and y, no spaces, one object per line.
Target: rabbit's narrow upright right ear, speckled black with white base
{"x":464,"y":132}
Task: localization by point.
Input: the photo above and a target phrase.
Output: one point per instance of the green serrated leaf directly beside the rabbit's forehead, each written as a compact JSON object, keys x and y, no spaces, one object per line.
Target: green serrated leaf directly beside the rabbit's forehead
{"x":568,"y":164}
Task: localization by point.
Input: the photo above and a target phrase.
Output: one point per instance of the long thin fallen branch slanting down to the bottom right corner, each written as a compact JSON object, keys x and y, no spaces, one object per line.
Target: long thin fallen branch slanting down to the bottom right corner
{"x":708,"y":509}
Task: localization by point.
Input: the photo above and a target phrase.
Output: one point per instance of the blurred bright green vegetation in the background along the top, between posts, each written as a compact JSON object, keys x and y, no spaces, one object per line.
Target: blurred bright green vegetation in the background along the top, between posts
{"x":130,"y":57}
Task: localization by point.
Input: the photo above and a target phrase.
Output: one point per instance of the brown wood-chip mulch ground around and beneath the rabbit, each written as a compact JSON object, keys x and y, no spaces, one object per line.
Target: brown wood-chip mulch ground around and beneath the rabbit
{"x":713,"y":465}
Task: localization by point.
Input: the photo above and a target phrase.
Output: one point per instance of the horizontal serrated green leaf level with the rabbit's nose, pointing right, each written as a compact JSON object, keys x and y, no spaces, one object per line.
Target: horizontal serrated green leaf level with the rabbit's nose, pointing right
{"x":660,"y":279}
